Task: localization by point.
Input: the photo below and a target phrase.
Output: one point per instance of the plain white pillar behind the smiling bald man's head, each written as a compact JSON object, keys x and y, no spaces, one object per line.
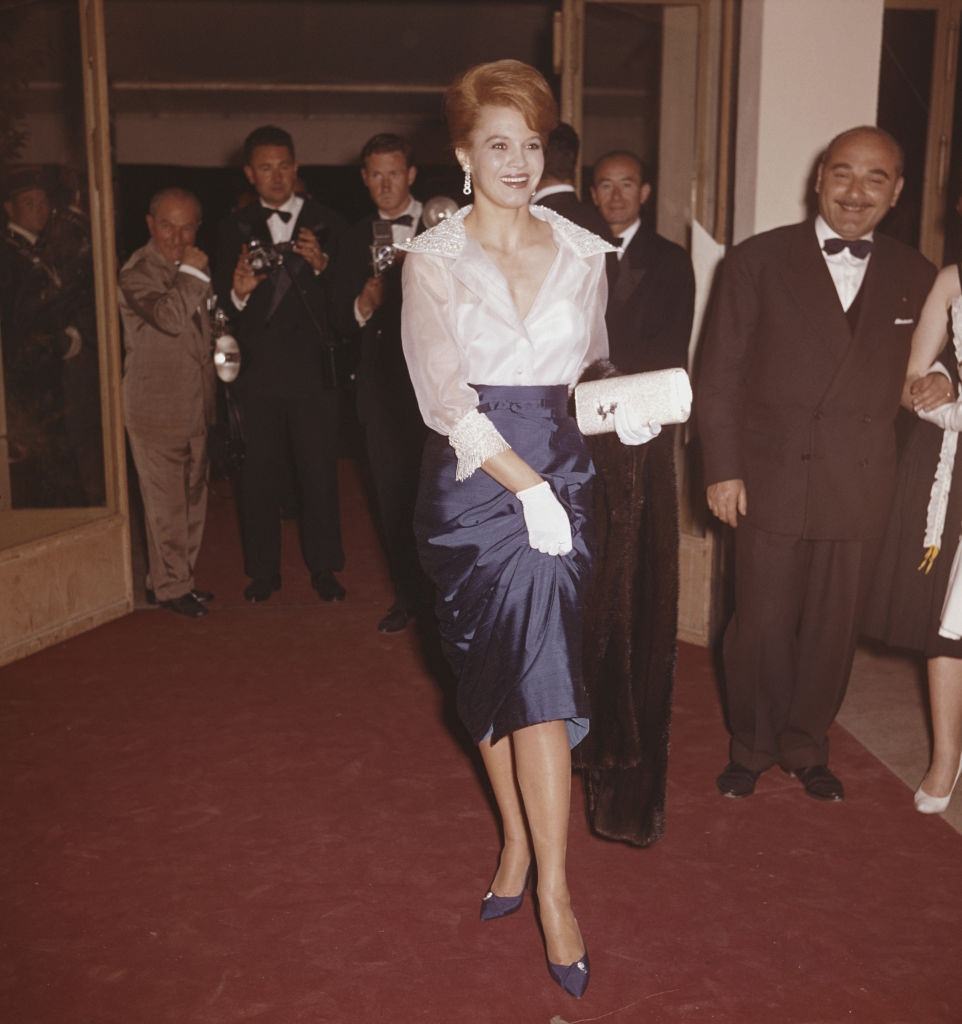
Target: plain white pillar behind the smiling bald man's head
{"x":809,"y":70}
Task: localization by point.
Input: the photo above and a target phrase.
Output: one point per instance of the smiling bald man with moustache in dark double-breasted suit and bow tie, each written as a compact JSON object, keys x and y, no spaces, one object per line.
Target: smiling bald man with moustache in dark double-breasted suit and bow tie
{"x":803,"y":371}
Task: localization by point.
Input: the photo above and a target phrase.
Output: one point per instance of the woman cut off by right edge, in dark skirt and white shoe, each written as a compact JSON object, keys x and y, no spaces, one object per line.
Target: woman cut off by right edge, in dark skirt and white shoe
{"x":917,"y":599}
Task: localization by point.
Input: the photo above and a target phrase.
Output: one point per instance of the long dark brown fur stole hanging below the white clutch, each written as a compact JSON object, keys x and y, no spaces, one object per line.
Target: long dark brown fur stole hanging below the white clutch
{"x":631,"y":647}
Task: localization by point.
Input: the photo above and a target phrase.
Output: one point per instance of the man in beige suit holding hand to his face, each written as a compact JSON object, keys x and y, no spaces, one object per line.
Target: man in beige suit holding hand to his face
{"x":170,"y":394}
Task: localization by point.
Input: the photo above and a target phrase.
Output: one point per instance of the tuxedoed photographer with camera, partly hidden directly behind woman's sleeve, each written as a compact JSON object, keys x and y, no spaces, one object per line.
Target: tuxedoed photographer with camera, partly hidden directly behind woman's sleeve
{"x":369,"y":305}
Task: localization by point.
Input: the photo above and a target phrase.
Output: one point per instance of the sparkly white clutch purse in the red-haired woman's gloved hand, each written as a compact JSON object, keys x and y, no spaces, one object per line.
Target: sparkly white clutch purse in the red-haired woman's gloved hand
{"x":660,"y":397}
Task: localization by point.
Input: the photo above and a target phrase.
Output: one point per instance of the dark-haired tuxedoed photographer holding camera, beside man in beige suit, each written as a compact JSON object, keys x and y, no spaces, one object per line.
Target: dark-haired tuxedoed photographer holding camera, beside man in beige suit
{"x":286,"y":394}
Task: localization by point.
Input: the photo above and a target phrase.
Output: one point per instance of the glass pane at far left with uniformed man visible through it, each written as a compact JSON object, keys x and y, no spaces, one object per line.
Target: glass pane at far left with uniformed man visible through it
{"x":52,"y":441}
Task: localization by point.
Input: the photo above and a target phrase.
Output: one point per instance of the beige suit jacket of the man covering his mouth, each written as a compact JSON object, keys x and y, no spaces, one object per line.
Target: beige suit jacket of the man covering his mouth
{"x":170,"y":372}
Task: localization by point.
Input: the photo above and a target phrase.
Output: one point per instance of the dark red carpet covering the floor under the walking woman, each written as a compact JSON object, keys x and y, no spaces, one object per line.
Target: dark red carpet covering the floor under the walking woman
{"x":263,"y":817}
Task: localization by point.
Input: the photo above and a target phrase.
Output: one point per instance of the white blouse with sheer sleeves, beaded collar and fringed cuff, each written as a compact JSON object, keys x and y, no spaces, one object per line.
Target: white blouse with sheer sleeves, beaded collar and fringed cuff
{"x":461,"y":325}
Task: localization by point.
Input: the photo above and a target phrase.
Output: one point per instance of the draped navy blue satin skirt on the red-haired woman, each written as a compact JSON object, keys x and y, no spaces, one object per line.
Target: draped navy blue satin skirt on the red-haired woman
{"x":511,"y":618}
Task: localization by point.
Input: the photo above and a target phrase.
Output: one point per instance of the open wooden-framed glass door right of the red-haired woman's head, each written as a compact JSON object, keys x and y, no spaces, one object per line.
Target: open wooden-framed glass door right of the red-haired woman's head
{"x":657,"y":79}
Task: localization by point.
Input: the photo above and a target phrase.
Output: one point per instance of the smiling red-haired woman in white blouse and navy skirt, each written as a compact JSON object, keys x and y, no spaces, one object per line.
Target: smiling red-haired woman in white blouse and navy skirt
{"x":504,"y":308}
